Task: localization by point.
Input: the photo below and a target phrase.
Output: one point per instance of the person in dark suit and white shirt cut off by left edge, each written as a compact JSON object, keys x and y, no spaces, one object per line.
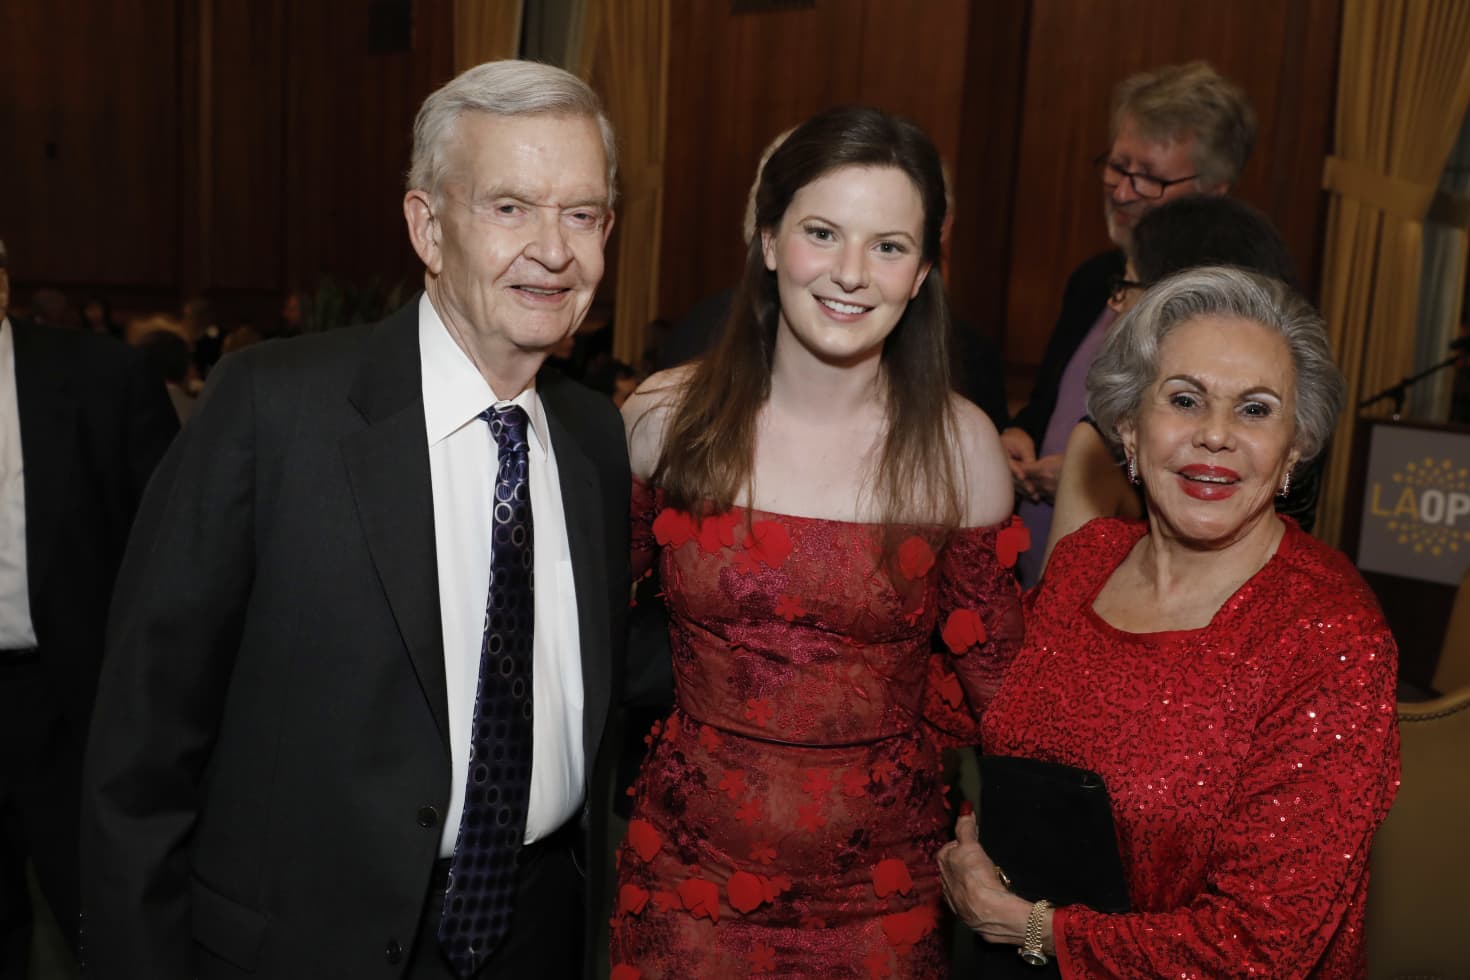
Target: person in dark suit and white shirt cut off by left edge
{"x":83,"y":424}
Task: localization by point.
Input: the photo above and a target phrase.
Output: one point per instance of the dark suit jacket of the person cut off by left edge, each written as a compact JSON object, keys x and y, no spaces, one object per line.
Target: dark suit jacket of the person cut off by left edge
{"x":95,"y":422}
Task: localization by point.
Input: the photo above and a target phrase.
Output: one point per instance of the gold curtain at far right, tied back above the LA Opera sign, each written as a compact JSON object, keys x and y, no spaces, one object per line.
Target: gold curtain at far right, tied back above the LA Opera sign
{"x":1403,"y":89}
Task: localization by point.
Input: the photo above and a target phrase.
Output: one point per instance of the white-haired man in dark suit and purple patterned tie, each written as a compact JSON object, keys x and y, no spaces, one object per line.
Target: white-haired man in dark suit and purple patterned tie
{"x":361,"y":672}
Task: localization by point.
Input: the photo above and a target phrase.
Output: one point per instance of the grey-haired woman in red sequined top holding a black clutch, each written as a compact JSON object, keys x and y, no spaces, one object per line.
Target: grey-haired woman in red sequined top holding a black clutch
{"x":1231,"y":678}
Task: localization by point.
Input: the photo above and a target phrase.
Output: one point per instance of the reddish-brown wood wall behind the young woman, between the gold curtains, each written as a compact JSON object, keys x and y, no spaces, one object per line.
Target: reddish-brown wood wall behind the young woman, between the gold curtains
{"x":1015,"y":95}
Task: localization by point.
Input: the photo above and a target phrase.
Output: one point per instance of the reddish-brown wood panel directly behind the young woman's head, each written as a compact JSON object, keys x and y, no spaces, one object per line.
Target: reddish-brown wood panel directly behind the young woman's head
{"x":737,"y":80}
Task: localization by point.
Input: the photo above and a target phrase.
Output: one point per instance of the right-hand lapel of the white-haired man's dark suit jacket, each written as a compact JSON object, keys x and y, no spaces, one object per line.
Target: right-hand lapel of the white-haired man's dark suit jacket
{"x":581,"y":502}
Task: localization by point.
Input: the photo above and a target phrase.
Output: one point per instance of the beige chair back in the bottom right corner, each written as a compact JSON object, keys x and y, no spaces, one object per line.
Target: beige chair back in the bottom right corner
{"x":1419,"y":873}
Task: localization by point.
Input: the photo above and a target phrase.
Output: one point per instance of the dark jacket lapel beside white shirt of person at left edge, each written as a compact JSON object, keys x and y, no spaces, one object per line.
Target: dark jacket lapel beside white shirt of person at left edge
{"x":48,"y":425}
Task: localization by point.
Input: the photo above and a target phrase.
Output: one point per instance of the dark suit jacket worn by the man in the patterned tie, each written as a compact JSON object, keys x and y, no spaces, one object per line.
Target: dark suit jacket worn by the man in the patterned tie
{"x":270,"y":762}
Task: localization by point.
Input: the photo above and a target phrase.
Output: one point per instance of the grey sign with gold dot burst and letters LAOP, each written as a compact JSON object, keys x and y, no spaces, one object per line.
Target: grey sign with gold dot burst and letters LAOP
{"x":1416,"y":509}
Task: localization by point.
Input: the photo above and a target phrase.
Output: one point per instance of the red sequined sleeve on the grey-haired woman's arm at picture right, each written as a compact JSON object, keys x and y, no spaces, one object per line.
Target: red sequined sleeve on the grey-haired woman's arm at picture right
{"x":1287,"y":868}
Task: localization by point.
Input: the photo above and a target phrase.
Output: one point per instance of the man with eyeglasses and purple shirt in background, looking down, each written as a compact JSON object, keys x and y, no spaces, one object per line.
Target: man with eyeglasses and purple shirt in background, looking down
{"x":1177,"y":131}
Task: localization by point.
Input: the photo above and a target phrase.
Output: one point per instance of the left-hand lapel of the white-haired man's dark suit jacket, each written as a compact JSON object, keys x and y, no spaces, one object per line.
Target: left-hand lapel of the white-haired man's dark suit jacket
{"x":389,"y":469}
